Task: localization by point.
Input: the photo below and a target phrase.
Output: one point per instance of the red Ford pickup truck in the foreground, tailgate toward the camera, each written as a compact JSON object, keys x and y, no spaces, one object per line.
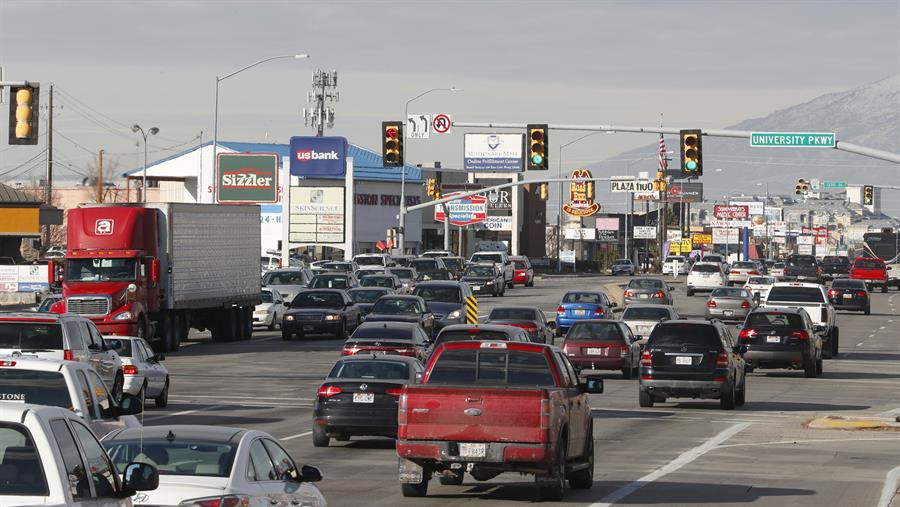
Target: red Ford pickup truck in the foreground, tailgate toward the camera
{"x":488,"y":407}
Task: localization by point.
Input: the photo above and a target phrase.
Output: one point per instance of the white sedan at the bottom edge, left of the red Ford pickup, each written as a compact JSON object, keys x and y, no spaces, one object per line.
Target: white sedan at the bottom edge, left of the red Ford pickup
{"x":215,"y":465}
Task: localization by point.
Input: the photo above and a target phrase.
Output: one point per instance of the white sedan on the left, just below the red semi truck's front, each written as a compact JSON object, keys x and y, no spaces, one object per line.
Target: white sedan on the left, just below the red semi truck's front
{"x":145,"y":375}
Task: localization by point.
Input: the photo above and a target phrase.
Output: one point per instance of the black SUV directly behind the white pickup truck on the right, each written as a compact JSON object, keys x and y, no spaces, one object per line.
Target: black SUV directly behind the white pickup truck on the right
{"x":782,"y":338}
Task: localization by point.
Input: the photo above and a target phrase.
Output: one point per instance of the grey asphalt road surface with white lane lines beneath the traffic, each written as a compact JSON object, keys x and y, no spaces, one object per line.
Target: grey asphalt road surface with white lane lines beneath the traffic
{"x":680,"y":453}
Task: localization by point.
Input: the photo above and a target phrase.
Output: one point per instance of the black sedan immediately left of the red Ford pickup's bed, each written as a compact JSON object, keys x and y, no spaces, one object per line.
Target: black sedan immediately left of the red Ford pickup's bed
{"x":360,"y":396}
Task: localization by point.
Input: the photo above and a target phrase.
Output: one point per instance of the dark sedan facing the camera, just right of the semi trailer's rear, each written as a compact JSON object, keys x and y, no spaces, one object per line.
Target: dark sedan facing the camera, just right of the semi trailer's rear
{"x":317,"y":311}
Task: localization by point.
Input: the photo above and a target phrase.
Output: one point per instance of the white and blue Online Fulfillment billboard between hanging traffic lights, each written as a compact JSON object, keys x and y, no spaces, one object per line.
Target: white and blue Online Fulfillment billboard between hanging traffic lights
{"x":493,"y":152}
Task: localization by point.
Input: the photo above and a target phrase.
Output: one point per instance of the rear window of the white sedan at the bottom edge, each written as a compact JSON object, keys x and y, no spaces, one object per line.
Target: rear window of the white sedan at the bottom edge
{"x":174,"y":456}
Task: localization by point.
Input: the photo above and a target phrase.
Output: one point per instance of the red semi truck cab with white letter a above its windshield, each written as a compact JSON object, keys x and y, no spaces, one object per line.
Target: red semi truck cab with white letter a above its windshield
{"x":112,"y":267}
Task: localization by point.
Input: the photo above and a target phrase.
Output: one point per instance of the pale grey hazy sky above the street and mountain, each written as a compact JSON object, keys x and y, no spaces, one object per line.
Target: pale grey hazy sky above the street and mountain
{"x":703,"y":63}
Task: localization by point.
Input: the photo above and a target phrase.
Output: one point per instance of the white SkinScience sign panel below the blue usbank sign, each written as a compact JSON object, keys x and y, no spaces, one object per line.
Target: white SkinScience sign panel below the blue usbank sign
{"x":317,"y":215}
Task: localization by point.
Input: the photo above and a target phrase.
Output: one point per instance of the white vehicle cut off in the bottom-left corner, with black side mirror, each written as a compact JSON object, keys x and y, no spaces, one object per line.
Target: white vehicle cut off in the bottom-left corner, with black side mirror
{"x":49,"y":457}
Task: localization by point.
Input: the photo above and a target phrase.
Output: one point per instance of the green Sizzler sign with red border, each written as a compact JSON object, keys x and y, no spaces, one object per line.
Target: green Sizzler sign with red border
{"x":245,"y":178}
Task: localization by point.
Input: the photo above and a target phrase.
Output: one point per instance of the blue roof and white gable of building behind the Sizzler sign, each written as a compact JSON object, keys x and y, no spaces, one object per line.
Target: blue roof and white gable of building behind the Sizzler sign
{"x":367,"y":165}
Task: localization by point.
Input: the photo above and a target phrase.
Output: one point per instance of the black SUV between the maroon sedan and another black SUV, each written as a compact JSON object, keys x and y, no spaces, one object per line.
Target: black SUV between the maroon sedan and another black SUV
{"x":693,"y":359}
